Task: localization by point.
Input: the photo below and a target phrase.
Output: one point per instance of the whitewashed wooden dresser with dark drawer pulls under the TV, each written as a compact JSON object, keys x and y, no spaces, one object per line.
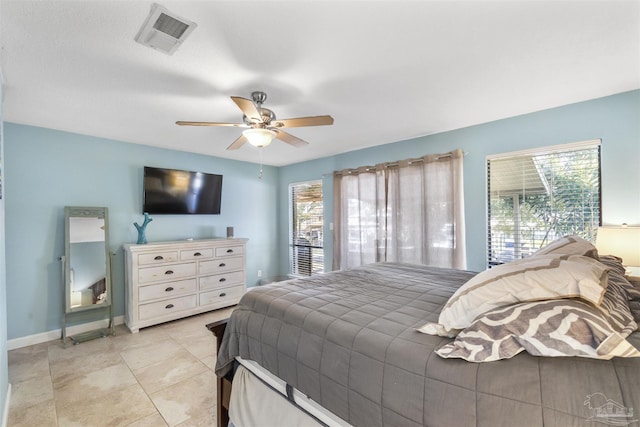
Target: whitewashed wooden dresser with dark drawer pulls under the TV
{"x":170,"y":280}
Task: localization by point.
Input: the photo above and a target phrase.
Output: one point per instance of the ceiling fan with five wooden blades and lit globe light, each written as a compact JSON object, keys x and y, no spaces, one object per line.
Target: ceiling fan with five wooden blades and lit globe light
{"x":262,"y":125}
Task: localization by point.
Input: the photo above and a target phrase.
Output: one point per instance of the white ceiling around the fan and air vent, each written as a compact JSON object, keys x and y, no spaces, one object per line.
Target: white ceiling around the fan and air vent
{"x":385,"y":70}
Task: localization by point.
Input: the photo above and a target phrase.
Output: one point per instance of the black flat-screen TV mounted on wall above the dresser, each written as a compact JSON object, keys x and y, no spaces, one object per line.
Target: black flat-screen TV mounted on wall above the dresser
{"x":176,"y":192}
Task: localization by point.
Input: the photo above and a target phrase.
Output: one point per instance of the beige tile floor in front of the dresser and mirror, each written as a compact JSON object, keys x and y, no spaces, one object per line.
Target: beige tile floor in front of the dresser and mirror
{"x":161,"y":376}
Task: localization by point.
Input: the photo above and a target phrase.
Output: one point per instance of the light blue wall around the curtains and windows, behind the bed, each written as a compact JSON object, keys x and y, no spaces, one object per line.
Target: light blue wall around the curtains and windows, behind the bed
{"x":614,"y":119}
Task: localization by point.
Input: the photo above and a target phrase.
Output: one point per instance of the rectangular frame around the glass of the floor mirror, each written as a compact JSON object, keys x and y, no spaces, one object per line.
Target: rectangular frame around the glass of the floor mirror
{"x":85,"y":212}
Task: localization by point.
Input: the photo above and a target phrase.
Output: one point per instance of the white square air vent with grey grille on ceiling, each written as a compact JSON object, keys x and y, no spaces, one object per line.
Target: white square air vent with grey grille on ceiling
{"x":163,"y":30}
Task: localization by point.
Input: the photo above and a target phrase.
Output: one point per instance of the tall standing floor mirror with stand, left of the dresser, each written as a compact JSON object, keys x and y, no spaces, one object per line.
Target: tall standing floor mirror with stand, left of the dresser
{"x":86,"y":268}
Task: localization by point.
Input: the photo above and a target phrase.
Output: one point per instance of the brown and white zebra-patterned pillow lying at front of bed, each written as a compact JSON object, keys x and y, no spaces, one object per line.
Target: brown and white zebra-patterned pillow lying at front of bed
{"x":566,"y":327}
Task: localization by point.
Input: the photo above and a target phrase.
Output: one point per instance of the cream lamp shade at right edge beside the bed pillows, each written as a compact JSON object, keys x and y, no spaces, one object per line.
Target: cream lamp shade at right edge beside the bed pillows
{"x":623,"y":242}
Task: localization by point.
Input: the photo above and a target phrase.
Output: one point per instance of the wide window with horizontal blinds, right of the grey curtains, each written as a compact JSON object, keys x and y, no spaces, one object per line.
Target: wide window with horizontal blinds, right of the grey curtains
{"x":537,"y":196}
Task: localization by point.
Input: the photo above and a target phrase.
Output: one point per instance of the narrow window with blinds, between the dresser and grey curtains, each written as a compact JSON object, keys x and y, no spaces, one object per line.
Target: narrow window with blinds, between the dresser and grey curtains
{"x":306,"y":253}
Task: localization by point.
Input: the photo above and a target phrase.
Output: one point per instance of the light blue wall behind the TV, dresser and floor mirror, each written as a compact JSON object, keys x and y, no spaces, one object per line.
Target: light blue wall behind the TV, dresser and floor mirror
{"x":50,"y":169}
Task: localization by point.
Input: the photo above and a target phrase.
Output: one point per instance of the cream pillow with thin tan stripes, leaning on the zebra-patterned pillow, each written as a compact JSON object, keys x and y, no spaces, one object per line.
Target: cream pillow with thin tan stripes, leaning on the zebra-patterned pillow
{"x":536,"y":278}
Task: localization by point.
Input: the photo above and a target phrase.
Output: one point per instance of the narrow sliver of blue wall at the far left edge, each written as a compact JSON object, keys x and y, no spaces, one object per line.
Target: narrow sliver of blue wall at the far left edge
{"x":4,"y":370}
